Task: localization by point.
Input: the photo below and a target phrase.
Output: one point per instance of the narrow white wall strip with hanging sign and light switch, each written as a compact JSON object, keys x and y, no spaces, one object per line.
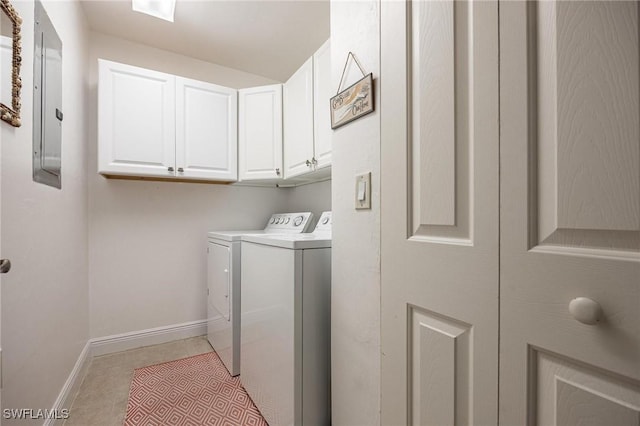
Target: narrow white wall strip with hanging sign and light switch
{"x":355,"y":340}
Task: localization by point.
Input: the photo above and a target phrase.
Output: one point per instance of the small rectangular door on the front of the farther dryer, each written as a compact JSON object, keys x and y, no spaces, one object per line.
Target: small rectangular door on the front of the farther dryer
{"x":219,"y":280}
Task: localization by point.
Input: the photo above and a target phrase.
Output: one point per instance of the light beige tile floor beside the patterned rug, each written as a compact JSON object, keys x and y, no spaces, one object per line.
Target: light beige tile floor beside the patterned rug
{"x":102,"y":398}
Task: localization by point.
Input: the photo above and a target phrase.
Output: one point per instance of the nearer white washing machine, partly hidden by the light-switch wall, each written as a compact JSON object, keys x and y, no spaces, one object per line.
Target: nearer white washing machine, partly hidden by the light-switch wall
{"x":285,"y":337}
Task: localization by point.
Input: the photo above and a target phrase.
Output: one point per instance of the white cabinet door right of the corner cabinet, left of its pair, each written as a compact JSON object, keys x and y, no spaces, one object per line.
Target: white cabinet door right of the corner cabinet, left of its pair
{"x":298,"y":121}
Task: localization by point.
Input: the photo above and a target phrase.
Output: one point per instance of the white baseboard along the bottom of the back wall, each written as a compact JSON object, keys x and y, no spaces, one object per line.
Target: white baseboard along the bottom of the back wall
{"x":153,"y":336}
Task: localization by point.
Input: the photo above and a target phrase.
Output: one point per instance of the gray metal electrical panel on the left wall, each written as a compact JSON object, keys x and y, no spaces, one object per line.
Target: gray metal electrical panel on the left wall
{"x":47,"y":101}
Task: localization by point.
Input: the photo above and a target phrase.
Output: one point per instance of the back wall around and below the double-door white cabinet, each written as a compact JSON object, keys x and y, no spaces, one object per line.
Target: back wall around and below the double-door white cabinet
{"x":147,"y":255}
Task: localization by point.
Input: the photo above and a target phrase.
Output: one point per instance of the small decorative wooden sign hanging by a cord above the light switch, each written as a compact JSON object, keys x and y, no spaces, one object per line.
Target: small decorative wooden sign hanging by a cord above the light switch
{"x":353,"y":102}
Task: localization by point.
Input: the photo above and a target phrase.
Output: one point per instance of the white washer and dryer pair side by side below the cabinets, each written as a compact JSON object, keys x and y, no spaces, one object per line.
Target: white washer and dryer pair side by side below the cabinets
{"x":283,"y":338}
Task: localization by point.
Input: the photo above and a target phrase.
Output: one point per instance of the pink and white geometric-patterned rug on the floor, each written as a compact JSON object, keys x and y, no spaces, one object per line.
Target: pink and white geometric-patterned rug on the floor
{"x":194,"y":391}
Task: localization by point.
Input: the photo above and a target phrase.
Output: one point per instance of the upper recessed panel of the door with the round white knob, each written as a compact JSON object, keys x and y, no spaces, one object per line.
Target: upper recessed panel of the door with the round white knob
{"x":587,"y":122}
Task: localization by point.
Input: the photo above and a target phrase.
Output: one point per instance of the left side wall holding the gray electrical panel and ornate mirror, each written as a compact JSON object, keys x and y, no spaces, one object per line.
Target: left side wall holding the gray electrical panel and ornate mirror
{"x":45,"y":318}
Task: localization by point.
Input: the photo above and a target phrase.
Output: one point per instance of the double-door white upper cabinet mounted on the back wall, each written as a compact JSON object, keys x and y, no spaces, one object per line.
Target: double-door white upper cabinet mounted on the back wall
{"x":159,"y":125}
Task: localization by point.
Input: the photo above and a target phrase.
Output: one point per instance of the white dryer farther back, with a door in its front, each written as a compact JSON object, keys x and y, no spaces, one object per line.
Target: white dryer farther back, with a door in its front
{"x":223,"y":283}
